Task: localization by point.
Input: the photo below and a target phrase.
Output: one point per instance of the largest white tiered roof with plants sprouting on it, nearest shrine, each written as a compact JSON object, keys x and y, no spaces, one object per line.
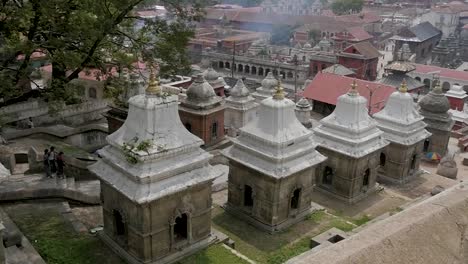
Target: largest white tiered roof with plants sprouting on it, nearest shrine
{"x":153,"y":155}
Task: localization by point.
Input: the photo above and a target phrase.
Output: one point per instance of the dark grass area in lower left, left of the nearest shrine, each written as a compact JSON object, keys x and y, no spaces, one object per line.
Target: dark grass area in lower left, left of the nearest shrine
{"x":56,"y":240}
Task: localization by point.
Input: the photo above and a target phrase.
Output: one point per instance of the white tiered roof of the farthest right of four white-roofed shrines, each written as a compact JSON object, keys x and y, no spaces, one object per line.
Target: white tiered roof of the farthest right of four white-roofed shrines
{"x":400,"y":121}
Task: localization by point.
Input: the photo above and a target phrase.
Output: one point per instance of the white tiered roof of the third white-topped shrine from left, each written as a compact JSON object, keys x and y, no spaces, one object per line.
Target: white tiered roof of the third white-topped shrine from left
{"x":350,"y":130}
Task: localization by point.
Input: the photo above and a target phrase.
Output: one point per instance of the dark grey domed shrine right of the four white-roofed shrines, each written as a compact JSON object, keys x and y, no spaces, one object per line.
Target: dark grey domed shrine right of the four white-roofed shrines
{"x":434,"y":108}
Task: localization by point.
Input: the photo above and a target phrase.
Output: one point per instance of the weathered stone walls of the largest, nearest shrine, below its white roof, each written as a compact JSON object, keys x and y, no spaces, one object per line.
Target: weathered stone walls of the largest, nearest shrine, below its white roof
{"x":150,"y":226}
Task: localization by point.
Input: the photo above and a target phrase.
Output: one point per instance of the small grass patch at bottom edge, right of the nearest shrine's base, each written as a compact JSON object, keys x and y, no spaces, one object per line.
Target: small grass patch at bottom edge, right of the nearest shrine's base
{"x":216,"y":254}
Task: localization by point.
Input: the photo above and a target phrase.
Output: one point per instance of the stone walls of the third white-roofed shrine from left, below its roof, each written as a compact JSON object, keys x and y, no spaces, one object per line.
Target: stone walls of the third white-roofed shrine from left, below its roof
{"x":348,"y":174}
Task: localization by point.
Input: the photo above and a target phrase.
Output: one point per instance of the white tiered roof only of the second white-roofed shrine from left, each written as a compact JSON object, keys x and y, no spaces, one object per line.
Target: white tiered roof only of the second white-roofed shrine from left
{"x":275,"y":143}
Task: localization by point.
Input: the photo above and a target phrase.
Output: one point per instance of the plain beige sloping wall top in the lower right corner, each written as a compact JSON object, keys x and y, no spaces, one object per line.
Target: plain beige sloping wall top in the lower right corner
{"x":432,"y":232}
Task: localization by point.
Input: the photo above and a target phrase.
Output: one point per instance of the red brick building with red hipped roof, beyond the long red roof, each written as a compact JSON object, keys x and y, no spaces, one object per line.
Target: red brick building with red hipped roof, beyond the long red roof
{"x":362,"y":58}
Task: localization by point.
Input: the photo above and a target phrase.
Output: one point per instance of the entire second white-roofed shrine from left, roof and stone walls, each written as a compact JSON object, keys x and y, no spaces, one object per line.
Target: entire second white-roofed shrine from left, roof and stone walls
{"x":272,"y":167}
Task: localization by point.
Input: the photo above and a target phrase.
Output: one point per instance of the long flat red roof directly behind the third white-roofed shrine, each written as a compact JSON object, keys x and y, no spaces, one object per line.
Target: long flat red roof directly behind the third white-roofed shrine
{"x":327,"y":87}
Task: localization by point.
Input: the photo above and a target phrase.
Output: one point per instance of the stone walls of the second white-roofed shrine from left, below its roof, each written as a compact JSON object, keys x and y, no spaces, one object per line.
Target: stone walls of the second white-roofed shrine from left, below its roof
{"x":272,"y":197}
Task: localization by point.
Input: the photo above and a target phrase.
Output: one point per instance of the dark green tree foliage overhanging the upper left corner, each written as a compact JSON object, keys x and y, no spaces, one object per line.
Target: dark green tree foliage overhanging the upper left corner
{"x":76,"y":35}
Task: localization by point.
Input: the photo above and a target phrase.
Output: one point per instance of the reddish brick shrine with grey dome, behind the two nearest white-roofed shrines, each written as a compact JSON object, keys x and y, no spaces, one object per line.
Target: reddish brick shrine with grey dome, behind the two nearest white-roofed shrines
{"x":202,"y":112}
